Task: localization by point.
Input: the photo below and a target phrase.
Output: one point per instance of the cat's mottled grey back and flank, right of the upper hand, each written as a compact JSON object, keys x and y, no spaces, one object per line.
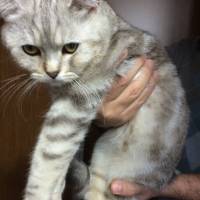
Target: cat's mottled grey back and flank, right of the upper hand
{"x":152,"y":142}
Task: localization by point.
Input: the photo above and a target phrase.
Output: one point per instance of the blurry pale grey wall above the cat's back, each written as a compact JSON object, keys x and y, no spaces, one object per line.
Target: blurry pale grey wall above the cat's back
{"x":169,"y":20}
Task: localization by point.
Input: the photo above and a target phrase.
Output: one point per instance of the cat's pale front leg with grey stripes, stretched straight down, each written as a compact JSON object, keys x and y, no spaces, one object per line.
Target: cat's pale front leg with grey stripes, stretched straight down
{"x":63,"y":131}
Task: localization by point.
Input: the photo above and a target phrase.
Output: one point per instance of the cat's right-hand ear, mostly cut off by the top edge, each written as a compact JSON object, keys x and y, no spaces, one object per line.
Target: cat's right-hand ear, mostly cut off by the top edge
{"x":91,"y":4}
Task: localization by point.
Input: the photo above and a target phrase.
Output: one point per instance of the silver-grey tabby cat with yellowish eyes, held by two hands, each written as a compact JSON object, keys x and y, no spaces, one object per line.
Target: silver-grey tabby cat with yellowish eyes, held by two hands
{"x":72,"y":46}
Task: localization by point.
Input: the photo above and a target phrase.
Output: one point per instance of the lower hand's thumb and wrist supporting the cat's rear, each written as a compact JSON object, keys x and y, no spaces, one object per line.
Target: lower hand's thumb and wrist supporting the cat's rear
{"x":184,"y":187}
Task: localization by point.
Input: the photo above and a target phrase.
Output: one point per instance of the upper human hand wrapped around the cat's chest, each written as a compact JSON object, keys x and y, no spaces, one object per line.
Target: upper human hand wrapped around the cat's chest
{"x":128,"y":94}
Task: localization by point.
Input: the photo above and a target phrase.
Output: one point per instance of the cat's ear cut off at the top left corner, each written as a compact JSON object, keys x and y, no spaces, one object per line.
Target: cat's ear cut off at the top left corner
{"x":11,"y":9}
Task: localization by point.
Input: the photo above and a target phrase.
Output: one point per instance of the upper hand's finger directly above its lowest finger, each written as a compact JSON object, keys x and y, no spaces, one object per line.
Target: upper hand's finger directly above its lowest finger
{"x":134,"y":90}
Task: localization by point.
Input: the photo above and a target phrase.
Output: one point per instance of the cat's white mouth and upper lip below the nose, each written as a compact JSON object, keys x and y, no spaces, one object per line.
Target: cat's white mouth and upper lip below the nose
{"x":61,"y":79}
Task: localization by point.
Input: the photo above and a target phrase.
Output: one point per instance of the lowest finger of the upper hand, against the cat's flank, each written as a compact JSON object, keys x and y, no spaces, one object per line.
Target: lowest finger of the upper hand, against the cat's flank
{"x":130,"y":112}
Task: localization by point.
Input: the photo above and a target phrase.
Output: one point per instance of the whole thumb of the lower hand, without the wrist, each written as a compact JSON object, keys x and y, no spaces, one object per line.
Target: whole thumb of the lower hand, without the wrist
{"x":127,"y":189}
